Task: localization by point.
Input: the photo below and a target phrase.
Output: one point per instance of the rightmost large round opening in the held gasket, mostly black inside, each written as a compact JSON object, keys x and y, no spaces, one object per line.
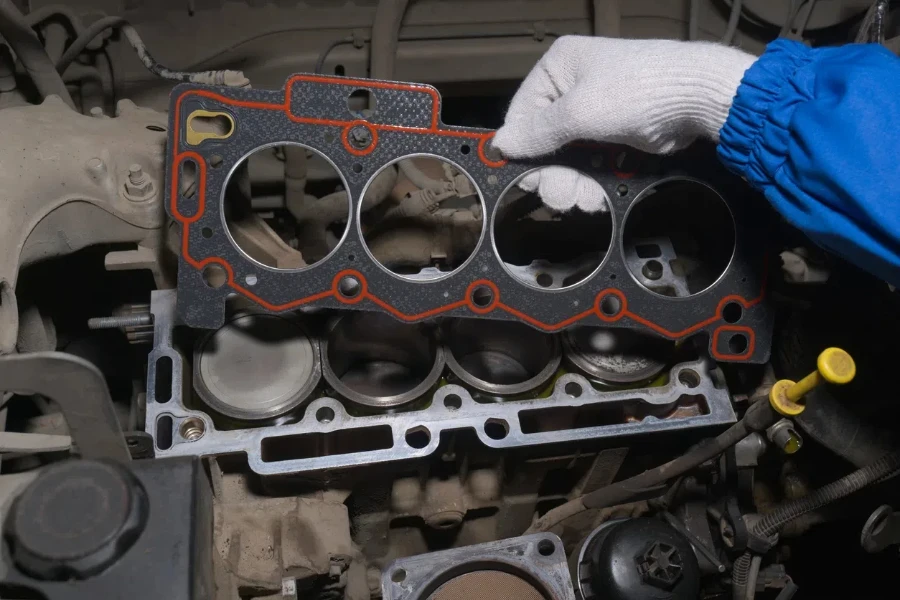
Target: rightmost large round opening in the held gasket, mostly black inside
{"x":679,"y":237}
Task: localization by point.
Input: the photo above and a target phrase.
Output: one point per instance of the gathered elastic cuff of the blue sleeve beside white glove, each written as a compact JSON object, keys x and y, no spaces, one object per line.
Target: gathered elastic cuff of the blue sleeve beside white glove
{"x":754,"y":140}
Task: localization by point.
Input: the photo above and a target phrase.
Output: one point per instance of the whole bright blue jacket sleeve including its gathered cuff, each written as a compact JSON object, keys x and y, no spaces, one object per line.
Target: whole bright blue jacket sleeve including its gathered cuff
{"x":818,"y":131}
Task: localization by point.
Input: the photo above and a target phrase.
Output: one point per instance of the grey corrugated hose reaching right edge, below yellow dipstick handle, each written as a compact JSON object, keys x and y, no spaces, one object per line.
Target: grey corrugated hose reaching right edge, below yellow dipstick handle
{"x":773,"y":521}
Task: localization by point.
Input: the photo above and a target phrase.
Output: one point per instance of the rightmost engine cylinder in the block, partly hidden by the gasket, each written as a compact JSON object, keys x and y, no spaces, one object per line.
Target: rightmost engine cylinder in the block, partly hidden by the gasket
{"x":613,"y":357}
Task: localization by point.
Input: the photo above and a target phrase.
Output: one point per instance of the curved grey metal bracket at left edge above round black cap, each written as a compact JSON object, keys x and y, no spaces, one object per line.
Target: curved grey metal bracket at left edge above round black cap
{"x":79,"y":390}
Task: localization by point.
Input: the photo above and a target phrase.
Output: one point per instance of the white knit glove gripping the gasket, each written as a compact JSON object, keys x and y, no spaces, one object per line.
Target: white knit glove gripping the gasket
{"x":654,"y":95}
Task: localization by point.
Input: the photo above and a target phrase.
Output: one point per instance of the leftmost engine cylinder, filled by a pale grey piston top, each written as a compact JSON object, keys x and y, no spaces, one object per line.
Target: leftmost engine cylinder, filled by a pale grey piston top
{"x":256,"y":367}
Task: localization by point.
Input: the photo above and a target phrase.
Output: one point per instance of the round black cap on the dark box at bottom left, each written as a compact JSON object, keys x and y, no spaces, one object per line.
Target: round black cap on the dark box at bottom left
{"x":75,"y":520}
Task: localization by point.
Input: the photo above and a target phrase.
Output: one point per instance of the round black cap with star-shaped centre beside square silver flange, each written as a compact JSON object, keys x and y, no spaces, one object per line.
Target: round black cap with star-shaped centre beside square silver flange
{"x":640,"y":559}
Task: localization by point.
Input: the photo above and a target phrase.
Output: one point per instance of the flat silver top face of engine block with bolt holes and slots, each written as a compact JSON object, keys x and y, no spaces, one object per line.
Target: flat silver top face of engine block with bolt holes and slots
{"x":497,"y":425}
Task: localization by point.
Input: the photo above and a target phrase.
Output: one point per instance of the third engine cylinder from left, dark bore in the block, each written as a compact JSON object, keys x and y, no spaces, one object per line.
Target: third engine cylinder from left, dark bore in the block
{"x":500,"y":358}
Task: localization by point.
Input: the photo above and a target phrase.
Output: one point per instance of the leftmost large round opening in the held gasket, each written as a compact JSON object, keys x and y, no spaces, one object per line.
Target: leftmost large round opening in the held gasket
{"x":277,"y":215}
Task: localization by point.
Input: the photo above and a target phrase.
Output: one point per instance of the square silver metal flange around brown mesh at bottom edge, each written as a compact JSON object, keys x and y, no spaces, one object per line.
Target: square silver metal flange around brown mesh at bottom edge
{"x":539,"y":559}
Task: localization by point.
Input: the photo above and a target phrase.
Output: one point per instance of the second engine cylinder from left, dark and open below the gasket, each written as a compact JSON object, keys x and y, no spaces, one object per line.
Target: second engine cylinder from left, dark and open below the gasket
{"x":376,"y":361}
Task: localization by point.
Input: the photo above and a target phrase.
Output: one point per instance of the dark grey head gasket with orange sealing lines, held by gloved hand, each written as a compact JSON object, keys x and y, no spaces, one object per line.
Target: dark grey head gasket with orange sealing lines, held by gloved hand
{"x":312,"y":111}
